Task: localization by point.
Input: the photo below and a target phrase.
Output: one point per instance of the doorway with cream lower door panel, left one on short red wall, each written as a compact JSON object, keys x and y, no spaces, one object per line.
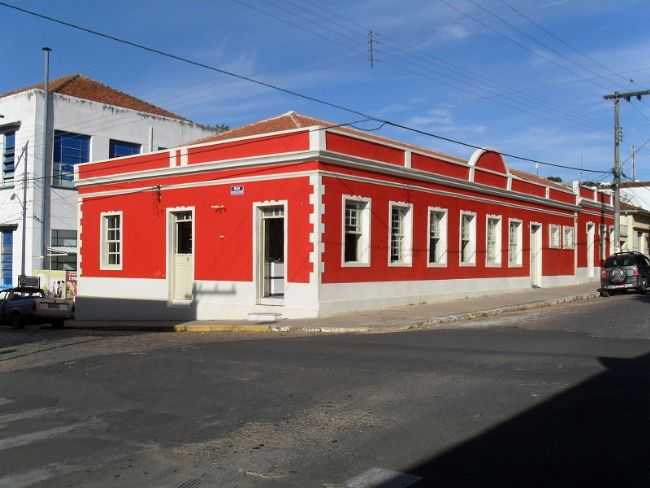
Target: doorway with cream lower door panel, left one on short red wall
{"x":181,"y":257}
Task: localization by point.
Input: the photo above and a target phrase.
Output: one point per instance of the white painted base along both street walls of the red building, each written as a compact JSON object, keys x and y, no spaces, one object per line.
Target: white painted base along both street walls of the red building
{"x":147,"y":299}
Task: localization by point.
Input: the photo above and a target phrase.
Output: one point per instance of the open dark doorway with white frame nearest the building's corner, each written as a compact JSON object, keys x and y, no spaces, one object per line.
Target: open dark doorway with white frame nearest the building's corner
{"x":271,"y":253}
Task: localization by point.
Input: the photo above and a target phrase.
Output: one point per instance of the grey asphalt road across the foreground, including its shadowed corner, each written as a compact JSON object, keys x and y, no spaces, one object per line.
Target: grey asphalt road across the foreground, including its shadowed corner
{"x":558,"y":397}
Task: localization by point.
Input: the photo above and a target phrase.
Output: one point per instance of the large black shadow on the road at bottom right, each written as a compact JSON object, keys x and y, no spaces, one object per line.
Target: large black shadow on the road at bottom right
{"x":596,"y":433}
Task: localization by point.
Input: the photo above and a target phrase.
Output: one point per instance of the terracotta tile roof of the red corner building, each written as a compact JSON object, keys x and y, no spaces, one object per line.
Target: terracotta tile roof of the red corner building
{"x":294,"y":120}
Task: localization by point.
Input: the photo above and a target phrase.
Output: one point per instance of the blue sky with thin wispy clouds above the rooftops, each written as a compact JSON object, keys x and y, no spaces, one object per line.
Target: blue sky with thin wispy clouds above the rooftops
{"x":525,"y":77}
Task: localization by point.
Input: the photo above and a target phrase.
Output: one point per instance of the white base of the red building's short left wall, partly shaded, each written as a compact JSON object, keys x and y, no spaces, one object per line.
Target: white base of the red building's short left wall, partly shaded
{"x":147,"y":299}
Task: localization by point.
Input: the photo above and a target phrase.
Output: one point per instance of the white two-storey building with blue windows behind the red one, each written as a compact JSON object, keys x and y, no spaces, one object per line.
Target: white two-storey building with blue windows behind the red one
{"x":90,"y":121}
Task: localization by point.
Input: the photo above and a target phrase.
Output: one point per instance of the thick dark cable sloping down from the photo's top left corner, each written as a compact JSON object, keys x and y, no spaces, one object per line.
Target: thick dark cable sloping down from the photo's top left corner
{"x":281,"y":89}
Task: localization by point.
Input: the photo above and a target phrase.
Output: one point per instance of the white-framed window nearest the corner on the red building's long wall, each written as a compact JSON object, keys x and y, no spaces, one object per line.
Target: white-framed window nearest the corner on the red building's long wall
{"x":356,"y":231}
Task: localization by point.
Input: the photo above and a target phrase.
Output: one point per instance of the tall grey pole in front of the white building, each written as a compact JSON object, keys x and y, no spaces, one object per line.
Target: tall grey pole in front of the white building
{"x":47,"y":160}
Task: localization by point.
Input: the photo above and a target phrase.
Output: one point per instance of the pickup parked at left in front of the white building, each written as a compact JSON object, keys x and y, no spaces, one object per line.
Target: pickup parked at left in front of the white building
{"x":26,"y":305}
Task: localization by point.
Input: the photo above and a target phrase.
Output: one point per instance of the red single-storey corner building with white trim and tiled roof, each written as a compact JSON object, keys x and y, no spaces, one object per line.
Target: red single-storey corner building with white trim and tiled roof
{"x":299,"y":217}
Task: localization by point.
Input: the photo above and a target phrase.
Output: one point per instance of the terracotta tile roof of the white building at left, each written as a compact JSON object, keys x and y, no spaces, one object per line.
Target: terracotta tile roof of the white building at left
{"x":83,"y":87}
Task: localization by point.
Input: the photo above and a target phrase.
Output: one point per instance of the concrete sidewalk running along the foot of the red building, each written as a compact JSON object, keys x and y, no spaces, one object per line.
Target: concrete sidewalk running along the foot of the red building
{"x":387,"y":320}
